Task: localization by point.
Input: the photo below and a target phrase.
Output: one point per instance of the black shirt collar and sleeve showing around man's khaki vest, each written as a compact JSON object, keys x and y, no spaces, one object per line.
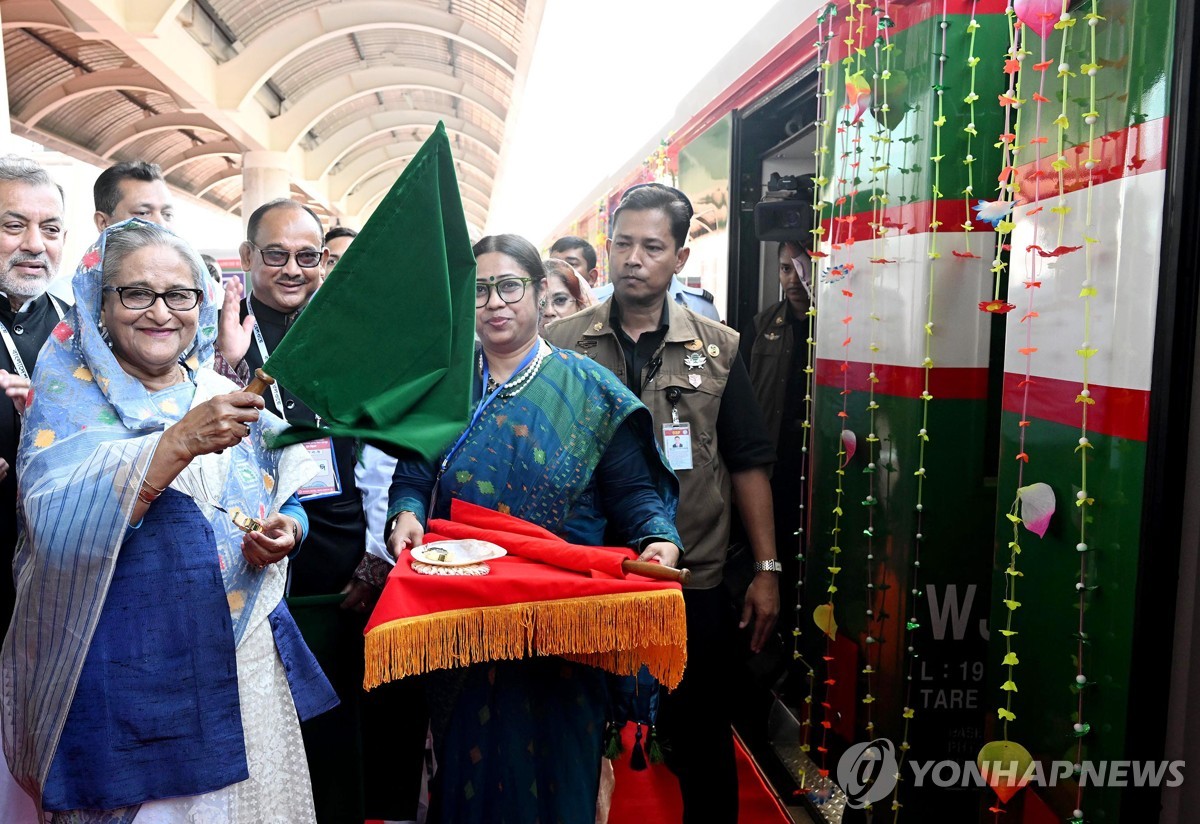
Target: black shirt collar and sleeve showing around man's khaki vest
{"x":741,"y":431}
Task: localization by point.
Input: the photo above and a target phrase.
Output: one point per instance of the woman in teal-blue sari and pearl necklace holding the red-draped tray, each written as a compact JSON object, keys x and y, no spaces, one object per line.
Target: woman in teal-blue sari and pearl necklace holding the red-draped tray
{"x":560,"y":442}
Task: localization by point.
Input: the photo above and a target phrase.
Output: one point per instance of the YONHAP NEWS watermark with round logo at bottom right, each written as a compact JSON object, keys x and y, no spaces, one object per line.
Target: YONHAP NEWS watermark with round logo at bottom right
{"x":868,"y":773}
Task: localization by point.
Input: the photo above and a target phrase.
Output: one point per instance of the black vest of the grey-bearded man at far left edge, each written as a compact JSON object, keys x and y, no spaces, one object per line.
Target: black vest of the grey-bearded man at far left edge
{"x":29,"y":330}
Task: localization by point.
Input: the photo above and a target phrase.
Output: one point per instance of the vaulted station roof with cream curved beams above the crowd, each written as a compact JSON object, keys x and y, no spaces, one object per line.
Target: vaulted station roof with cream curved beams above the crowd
{"x":343,"y":91}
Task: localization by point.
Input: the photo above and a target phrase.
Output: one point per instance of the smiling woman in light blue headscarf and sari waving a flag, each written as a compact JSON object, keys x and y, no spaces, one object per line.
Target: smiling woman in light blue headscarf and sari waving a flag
{"x":152,"y":672}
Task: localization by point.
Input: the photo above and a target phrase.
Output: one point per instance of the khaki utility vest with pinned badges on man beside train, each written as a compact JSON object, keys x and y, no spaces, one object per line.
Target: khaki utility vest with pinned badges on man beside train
{"x":706,"y":490}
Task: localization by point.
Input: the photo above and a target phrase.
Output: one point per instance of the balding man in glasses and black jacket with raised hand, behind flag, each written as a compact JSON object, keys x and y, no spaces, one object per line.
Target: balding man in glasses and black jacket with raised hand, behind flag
{"x":285,"y":258}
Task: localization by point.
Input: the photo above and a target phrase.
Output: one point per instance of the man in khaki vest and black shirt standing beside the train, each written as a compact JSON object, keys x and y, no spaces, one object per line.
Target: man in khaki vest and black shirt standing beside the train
{"x":688,"y":372}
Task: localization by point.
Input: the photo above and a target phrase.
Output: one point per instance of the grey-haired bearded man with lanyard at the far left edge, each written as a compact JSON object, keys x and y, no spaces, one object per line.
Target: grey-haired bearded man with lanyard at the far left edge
{"x":31,"y":252}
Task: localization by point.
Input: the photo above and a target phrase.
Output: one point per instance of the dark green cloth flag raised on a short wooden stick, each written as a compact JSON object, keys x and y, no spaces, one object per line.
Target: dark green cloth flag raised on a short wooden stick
{"x":383,"y":352}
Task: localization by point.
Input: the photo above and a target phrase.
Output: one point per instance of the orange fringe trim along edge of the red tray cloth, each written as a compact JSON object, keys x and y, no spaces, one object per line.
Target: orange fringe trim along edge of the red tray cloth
{"x":615,"y":633}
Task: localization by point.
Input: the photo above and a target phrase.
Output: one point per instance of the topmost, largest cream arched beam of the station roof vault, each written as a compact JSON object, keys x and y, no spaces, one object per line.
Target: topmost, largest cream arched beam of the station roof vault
{"x":239,"y":79}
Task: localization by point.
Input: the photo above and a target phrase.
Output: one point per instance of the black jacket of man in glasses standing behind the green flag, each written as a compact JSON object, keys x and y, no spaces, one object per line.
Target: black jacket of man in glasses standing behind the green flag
{"x":338,"y":526}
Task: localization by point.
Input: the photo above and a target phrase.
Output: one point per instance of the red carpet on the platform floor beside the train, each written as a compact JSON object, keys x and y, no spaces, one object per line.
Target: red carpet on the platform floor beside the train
{"x":653,"y":795}
